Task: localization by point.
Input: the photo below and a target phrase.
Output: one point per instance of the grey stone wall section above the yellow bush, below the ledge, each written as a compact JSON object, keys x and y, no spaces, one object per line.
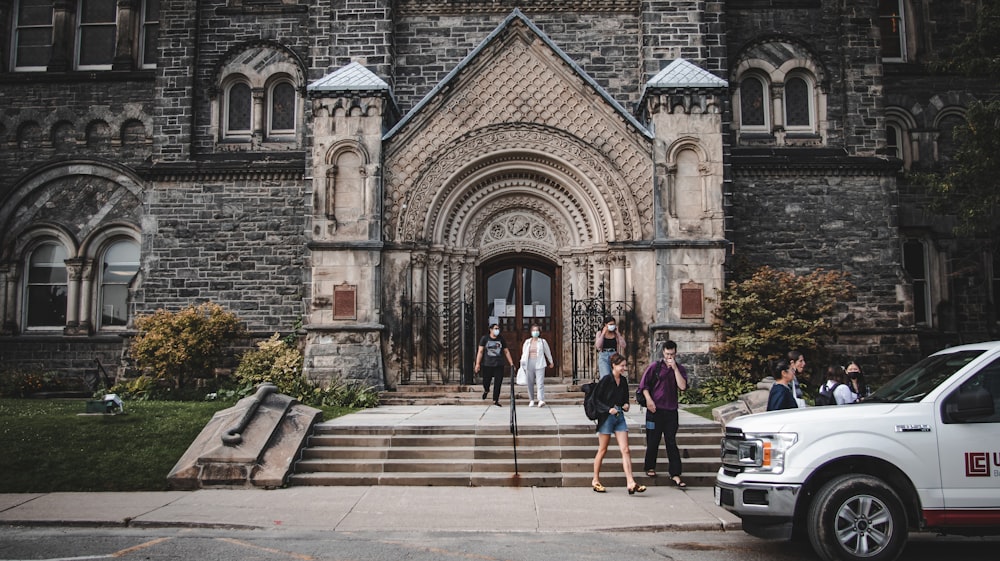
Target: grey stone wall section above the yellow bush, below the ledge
{"x":236,"y":241}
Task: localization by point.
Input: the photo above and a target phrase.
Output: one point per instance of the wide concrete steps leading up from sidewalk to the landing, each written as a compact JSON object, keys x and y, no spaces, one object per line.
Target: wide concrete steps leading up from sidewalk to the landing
{"x":547,"y":456}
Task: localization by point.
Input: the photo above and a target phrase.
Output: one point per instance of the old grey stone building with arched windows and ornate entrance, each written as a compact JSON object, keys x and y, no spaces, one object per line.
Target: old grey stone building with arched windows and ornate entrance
{"x":396,"y":174}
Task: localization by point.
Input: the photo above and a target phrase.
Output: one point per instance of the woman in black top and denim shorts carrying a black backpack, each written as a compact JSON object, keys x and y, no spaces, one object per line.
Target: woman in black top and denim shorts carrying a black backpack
{"x":611,"y":396}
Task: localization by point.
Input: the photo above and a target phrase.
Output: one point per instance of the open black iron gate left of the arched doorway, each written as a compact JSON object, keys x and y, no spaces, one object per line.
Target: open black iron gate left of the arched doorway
{"x":440,"y":343}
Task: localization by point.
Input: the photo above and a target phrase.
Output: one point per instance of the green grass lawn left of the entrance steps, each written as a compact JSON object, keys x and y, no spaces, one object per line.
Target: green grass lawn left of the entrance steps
{"x":47,"y":446}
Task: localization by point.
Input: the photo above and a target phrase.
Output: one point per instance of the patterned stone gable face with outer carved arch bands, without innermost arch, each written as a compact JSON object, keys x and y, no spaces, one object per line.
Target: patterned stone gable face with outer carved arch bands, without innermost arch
{"x":529,"y":114}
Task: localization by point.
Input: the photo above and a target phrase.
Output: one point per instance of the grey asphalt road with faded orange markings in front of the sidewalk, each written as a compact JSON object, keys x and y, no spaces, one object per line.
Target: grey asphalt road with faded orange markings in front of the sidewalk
{"x":154,"y":544}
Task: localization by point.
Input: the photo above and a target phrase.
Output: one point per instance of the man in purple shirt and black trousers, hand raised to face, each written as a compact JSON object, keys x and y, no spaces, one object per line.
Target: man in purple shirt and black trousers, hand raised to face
{"x":661,"y":383}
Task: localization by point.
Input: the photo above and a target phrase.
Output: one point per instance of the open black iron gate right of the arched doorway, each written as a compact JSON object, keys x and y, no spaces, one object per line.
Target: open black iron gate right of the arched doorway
{"x":587,"y":318}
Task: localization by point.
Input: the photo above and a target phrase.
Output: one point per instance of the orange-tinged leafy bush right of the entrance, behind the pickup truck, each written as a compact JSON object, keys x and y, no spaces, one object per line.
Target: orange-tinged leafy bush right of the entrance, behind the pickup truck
{"x":763,"y":317}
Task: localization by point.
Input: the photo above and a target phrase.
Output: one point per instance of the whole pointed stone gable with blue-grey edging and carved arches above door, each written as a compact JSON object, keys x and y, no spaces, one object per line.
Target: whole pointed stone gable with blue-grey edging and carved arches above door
{"x":518,"y":123}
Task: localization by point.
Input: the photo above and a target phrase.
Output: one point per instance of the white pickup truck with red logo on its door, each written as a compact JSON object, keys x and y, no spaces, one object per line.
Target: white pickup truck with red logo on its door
{"x":922,"y":453}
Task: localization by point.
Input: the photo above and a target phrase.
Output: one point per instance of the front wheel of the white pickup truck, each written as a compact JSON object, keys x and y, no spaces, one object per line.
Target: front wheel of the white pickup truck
{"x":855,"y":518}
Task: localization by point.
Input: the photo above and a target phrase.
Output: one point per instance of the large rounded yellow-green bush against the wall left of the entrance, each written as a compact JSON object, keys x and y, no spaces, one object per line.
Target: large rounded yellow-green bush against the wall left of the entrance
{"x":190,"y":343}
